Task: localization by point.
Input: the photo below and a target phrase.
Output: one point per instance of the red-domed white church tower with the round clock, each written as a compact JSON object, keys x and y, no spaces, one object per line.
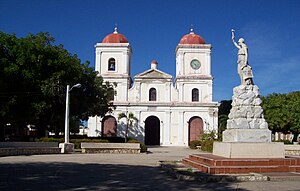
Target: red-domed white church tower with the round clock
{"x":193,"y":69}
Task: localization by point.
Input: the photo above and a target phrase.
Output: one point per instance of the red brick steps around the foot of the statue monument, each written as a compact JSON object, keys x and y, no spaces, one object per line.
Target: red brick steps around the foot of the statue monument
{"x":213,"y":164}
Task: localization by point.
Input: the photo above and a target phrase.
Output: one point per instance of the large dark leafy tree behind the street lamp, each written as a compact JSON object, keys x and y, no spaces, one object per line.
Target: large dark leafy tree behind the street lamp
{"x":34,"y":73}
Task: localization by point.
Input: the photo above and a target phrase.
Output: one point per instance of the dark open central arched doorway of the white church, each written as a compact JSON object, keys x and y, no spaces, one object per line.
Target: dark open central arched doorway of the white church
{"x":152,"y":131}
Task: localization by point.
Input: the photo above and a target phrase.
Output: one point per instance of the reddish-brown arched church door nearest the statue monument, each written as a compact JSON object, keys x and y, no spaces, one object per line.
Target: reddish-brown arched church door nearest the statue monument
{"x":195,"y":128}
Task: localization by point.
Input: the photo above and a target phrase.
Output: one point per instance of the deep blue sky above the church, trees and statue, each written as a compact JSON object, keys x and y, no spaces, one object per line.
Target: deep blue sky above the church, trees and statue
{"x":155,"y":27}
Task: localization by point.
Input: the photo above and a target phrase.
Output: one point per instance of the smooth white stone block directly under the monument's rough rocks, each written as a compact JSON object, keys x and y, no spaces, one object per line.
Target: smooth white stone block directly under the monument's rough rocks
{"x":247,"y":135}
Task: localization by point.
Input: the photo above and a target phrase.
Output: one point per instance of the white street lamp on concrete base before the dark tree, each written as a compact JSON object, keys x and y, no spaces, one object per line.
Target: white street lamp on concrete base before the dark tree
{"x":67,"y":147}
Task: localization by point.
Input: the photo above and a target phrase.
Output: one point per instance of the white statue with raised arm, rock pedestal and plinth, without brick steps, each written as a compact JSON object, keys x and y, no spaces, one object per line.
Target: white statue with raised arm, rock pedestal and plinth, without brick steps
{"x":247,"y":134}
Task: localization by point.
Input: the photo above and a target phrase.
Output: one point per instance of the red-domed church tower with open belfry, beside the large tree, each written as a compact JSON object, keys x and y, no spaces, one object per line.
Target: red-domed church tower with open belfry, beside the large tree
{"x":113,"y":58}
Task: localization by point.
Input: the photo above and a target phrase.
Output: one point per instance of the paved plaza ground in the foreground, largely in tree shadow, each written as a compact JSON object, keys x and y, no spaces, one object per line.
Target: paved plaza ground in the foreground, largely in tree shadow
{"x":111,"y":172}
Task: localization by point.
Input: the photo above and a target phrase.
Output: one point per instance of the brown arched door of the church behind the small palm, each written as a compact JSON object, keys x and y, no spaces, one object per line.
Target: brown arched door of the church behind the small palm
{"x":109,"y":126}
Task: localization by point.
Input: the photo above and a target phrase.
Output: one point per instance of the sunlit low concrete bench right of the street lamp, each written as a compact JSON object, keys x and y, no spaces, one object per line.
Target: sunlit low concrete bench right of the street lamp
{"x":113,"y":148}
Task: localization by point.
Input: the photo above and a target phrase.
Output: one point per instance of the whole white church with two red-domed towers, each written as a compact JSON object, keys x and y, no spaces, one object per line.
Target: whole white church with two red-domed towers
{"x":169,"y":114}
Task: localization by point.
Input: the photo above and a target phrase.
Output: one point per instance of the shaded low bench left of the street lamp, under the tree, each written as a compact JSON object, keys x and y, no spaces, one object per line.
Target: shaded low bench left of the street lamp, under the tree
{"x":28,"y":148}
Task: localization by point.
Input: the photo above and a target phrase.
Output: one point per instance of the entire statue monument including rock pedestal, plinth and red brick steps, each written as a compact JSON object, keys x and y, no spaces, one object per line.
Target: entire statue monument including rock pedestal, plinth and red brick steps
{"x":247,"y":146}
